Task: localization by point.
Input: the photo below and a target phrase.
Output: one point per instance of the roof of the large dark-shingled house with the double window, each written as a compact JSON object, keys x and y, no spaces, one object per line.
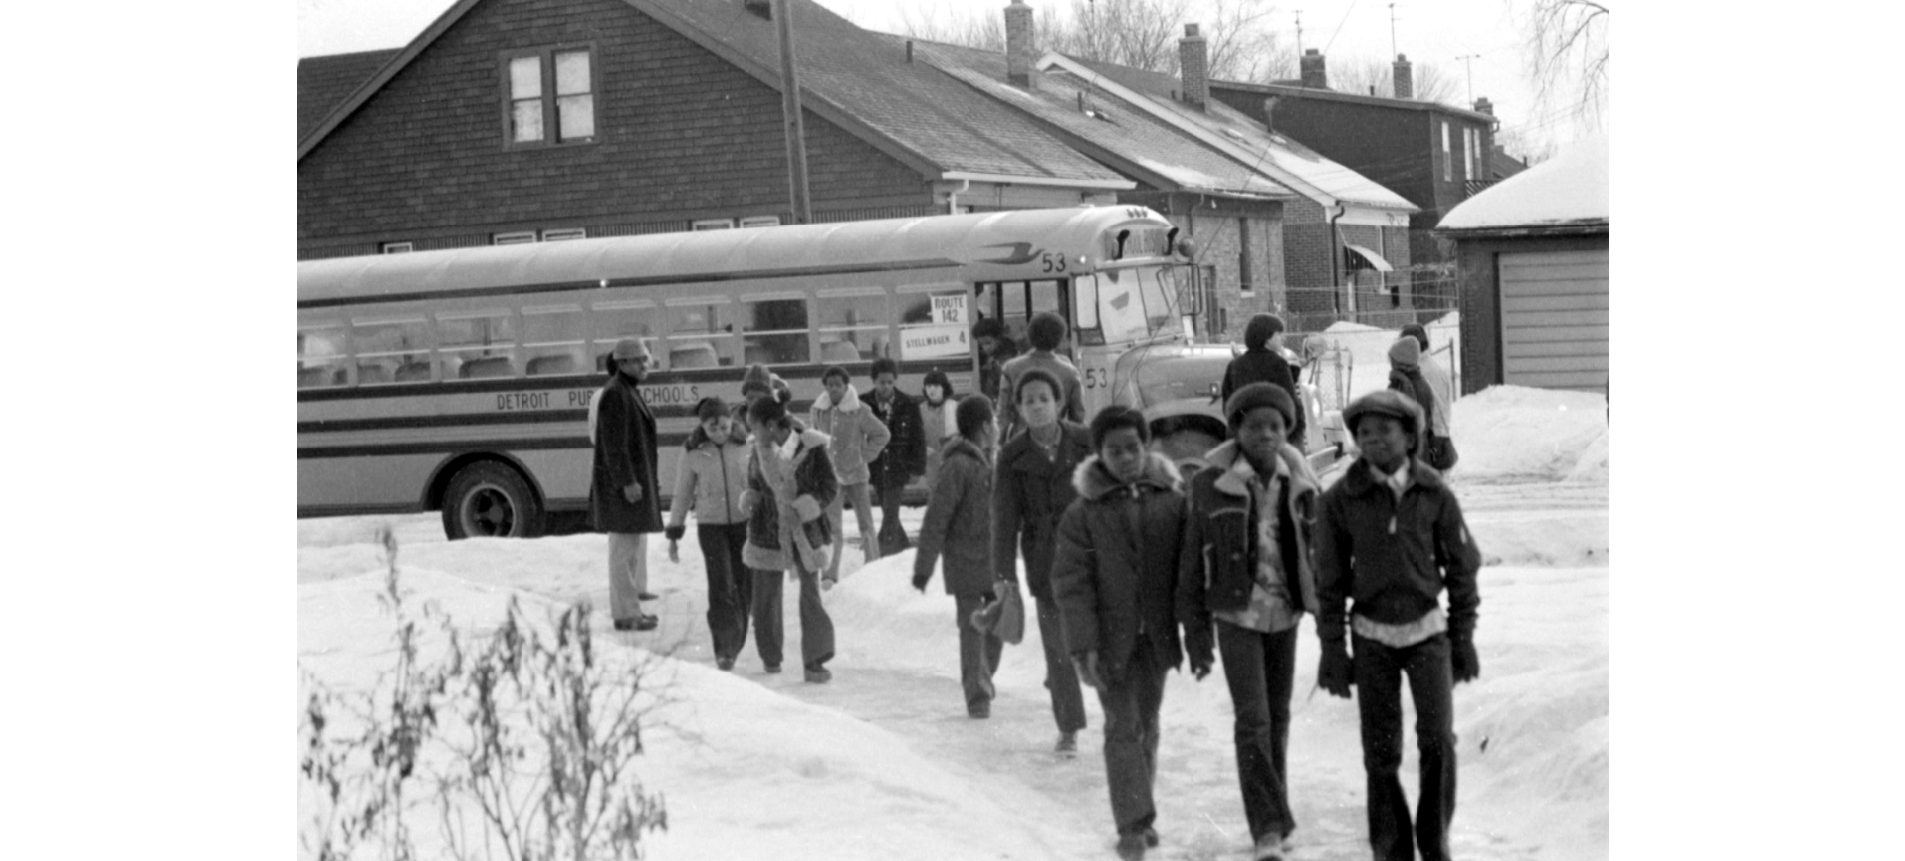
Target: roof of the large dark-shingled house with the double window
{"x":852,"y":79}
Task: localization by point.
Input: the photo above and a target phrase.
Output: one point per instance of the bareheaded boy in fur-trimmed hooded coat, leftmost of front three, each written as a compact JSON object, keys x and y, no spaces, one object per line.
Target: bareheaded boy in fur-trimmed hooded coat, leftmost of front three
{"x":1115,"y":582}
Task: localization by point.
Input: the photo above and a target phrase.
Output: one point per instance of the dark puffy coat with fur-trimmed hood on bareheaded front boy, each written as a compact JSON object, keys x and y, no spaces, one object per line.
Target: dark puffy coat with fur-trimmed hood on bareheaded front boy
{"x":1115,"y":574}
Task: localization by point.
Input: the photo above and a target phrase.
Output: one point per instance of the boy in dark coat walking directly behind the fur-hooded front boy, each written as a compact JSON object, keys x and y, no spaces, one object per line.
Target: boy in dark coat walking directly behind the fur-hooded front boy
{"x":1030,"y":496}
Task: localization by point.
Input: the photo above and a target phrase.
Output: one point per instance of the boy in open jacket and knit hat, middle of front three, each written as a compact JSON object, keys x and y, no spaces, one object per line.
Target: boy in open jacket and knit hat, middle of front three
{"x":1243,"y":586}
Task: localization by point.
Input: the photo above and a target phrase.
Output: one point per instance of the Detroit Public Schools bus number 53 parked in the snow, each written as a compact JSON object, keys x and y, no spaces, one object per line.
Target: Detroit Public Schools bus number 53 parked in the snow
{"x":460,"y":380}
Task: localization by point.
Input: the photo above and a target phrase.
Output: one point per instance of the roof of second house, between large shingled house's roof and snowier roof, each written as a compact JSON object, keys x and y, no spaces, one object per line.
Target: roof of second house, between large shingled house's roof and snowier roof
{"x":1106,"y":127}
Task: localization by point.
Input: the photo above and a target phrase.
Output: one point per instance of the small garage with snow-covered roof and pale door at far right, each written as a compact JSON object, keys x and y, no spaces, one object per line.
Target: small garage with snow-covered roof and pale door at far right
{"x":1533,"y":258}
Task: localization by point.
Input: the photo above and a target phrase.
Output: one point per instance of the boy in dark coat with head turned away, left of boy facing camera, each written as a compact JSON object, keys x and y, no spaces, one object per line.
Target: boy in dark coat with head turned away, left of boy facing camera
{"x":961,"y":529}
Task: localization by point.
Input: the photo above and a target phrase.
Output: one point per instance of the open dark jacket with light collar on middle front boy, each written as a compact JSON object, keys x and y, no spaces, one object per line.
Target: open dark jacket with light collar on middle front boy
{"x":1220,"y":557}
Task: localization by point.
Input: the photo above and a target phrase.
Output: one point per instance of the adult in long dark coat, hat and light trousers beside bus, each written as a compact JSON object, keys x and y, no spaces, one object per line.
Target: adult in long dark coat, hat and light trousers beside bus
{"x":622,"y":491}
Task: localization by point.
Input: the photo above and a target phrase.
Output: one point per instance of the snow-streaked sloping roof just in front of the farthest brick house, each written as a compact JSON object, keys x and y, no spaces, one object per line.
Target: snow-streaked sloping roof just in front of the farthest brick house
{"x":1275,"y":155}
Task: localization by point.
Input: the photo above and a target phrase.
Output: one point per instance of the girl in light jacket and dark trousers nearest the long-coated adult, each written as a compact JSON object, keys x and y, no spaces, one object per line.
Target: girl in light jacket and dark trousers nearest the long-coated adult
{"x":713,"y":477}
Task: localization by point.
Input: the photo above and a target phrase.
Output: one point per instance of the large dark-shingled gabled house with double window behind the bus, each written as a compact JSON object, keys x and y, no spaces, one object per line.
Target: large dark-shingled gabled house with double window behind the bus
{"x":511,"y":121}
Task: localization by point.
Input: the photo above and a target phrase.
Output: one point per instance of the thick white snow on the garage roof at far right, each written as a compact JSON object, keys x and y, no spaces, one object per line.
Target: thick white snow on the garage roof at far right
{"x":1569,"y":190}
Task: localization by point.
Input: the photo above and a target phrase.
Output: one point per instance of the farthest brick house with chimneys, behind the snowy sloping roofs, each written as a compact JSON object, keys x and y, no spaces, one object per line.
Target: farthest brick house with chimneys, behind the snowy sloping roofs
{"x":1434,"y":155}
